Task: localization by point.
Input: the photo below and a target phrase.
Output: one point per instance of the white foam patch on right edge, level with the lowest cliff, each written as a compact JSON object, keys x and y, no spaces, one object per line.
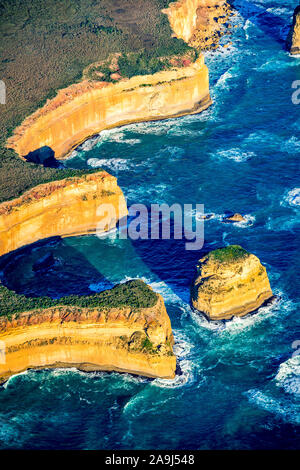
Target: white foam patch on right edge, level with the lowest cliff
{"x":288,"y":376}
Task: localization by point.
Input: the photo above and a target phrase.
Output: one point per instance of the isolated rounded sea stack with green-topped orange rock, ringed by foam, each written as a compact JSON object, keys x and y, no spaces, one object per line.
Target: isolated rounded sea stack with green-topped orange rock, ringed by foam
{"x":229,"y":282}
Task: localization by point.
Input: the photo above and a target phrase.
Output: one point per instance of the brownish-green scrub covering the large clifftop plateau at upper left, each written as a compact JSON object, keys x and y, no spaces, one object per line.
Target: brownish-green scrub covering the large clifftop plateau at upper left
{"x":46,"y":45}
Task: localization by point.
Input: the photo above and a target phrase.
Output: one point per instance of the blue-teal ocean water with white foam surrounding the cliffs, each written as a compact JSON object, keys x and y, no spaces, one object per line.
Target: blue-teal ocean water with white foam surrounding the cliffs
{"x":240,"y":386}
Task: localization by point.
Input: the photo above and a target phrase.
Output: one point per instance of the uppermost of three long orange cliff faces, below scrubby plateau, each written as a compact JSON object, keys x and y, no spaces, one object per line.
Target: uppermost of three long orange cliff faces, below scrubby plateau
{"x":85,"y":109}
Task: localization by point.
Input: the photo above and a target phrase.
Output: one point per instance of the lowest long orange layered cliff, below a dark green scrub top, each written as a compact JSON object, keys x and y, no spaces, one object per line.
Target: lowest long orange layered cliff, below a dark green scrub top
{"x":134,"y":340}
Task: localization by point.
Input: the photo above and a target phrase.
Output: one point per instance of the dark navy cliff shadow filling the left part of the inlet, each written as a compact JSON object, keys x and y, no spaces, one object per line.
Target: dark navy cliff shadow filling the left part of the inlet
{"x":51,"y":267}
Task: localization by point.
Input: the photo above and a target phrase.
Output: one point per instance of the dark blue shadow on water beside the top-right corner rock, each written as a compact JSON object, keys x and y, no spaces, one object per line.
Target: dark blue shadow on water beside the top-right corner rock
{"x":267,"y":21}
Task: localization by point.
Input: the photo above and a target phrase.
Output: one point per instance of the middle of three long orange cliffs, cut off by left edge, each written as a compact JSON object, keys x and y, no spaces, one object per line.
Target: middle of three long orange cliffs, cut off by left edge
{"x":61,"y":208}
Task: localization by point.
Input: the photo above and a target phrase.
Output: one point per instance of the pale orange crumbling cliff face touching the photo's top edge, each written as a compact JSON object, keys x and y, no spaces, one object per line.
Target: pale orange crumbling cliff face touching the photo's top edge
{"x":186,"y":16}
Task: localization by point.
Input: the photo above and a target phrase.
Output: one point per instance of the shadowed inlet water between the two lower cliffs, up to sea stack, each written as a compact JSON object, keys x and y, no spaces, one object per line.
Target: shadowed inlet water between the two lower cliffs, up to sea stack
{"x":59,"y":267}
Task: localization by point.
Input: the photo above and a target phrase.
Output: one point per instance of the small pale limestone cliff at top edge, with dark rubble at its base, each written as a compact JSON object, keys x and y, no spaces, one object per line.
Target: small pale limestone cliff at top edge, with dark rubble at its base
{"x":199,"y":22}
